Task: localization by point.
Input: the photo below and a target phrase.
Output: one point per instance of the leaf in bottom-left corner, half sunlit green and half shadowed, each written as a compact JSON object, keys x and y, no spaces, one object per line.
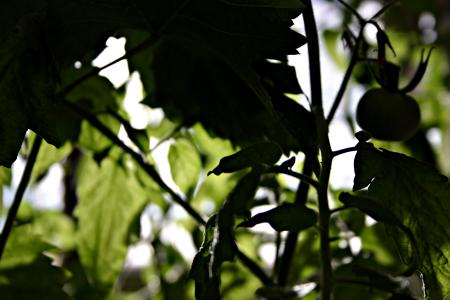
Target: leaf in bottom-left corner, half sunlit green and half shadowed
{"x":25,"y":272}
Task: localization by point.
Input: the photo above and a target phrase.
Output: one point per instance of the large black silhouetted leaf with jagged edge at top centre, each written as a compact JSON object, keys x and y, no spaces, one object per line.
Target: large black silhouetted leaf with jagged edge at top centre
{"x":210,"y":43}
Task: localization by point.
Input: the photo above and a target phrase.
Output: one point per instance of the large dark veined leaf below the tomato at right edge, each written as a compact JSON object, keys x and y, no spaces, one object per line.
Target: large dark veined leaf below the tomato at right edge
{"x":417,"y":195}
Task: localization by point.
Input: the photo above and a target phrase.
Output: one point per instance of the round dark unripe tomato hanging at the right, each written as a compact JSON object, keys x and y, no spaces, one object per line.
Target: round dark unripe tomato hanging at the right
{"x":387,"y":115}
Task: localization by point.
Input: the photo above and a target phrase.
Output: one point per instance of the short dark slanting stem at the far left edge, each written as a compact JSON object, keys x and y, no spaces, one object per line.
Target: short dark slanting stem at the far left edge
{"x":19,"y":193}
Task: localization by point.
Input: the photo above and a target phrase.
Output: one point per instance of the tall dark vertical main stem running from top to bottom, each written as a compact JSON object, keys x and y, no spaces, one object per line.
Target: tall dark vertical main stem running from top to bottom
{"x":325,"y":150}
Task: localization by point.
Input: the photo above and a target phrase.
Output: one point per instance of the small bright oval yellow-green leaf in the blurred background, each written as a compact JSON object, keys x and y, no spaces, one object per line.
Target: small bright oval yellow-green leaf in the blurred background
{"x":185,"y":164}
